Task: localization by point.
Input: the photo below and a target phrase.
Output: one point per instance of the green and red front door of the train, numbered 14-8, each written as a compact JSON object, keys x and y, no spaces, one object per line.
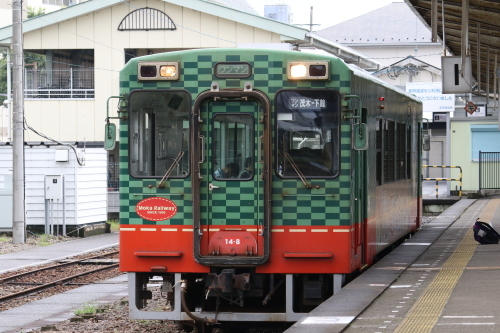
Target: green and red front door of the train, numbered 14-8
{"x":231,"y":208}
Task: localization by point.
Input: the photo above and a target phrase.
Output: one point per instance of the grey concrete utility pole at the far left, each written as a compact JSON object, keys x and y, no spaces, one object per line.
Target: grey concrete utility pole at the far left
{"x":19,"y":216}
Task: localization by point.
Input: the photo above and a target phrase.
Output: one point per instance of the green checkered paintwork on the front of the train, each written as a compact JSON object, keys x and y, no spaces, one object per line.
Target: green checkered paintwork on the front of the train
{"x":292,"y":203}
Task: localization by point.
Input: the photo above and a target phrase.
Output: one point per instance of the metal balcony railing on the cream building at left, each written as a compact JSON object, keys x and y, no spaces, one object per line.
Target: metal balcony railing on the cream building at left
{"x":63,"y":83}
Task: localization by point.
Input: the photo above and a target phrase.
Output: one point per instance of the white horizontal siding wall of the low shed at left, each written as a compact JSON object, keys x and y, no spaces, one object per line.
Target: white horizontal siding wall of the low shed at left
{"x":85,"y":187}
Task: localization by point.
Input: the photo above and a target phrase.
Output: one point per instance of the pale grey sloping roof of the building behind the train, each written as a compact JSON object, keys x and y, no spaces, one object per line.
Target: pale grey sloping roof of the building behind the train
{"x":391,"y":24}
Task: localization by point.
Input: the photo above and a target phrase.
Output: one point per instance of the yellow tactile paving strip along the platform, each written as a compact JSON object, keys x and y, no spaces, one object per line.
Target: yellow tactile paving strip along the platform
{"x":428,"y":308}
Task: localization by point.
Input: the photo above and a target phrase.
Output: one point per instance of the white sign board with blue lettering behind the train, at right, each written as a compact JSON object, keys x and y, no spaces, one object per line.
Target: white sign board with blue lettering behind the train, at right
{"x":431,"y":95}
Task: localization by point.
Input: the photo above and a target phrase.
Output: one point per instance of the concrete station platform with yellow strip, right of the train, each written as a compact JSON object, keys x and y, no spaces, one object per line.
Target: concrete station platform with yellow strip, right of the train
{"x":440,"y":280}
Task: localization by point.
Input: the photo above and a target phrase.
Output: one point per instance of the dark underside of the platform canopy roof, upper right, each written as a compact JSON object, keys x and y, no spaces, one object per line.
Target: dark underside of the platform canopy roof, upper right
{"x":482,"y":14}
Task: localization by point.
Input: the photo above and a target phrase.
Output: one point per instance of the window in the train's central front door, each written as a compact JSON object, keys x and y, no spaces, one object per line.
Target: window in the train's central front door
{"x":233,"y":146}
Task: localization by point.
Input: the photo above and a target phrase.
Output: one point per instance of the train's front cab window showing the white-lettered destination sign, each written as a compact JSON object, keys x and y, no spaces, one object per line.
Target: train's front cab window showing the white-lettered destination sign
{"x":307,"y":142}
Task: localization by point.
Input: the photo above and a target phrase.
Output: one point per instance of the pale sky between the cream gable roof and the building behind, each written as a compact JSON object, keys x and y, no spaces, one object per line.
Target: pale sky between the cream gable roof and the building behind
{"x":325,"y":12}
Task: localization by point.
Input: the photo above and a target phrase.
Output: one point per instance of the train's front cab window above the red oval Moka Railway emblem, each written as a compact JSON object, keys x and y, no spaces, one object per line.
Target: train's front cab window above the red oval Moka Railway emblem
{"x":159,"y":133}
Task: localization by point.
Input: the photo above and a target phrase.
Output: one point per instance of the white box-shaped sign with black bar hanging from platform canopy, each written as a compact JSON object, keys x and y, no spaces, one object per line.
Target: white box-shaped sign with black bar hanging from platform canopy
{"x":455,"y":79}
